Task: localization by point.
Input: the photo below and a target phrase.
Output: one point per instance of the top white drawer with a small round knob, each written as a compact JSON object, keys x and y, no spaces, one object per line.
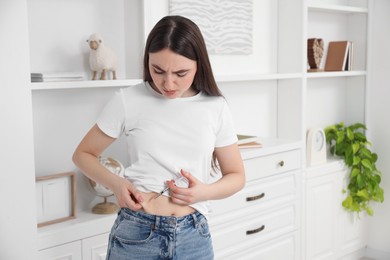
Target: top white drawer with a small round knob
{"x":271,"y":164}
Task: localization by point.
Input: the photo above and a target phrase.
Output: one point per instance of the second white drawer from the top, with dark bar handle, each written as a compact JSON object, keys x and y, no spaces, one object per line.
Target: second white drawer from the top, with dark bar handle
{"x":257,"y":193}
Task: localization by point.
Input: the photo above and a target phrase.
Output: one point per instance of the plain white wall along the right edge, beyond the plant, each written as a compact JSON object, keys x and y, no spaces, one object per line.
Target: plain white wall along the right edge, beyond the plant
{"x":379,"y":121}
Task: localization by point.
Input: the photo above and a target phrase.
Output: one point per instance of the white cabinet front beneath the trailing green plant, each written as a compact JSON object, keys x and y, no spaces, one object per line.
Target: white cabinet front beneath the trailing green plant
{"x":331,"y":231}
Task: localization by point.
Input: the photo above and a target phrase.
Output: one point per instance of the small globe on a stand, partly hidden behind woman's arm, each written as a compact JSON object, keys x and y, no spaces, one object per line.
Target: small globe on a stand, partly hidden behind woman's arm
{"x":106,"y":207}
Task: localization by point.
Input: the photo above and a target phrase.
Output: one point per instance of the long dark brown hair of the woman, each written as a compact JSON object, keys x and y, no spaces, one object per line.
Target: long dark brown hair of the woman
{"x":182,"y":36}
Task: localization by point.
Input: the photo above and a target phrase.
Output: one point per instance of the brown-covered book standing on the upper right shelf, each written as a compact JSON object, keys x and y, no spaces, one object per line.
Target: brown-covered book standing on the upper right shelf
{"x":337,"y":56}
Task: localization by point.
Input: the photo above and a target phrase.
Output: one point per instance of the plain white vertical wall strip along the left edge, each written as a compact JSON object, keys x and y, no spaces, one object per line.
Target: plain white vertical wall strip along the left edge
{"x":17,"y":194}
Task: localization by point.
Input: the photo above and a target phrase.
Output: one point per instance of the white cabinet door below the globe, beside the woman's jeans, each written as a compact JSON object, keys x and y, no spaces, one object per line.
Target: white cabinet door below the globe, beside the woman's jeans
{"x":95,"y":248}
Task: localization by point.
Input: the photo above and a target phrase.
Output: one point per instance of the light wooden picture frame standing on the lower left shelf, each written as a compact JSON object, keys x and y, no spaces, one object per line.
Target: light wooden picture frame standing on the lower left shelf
{"x":56,"y":198}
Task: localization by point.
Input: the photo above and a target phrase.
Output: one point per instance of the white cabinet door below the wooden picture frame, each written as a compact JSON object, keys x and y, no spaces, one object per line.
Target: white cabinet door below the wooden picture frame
{"x":69,"y":251}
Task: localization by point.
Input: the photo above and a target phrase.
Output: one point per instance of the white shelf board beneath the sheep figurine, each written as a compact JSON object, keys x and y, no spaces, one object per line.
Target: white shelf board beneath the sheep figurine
{"x":83,"y":84}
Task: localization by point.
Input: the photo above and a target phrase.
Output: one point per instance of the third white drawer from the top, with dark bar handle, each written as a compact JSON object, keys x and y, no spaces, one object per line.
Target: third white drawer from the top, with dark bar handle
{"x":254,"y":226}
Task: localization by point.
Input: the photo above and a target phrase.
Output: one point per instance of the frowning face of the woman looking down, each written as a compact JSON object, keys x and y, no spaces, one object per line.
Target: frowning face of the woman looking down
{"x":172,"y":74}
